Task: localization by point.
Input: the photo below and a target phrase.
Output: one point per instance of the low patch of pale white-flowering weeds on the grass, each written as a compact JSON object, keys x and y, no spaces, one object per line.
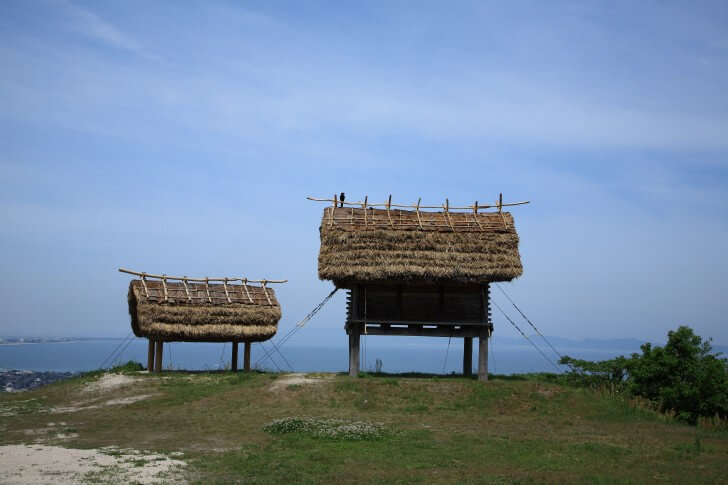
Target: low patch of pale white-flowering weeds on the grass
{"x":335,"y":429}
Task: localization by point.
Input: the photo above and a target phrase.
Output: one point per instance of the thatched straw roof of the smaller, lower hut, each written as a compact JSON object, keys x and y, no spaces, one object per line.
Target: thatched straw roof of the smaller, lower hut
{"x":202,"y":313}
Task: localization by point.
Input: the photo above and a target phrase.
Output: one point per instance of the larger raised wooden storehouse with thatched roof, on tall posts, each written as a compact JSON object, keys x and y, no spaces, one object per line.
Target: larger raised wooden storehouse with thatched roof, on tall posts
{"x":418,"y":272}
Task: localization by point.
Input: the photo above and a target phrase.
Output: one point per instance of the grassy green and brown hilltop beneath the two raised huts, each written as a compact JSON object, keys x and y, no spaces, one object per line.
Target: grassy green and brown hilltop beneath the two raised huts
{"x":433,"y":429}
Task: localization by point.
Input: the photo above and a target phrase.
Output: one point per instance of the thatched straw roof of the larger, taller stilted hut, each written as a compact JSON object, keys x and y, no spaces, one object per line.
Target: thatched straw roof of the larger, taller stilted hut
{"x":376,"y":245}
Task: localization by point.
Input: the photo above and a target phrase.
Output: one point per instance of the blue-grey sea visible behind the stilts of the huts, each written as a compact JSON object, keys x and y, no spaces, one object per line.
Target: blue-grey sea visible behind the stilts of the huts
{"x":390,"y":355}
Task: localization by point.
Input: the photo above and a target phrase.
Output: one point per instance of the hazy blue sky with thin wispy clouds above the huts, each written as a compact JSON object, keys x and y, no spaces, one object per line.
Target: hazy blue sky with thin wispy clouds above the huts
{"x":184,"y":139}
